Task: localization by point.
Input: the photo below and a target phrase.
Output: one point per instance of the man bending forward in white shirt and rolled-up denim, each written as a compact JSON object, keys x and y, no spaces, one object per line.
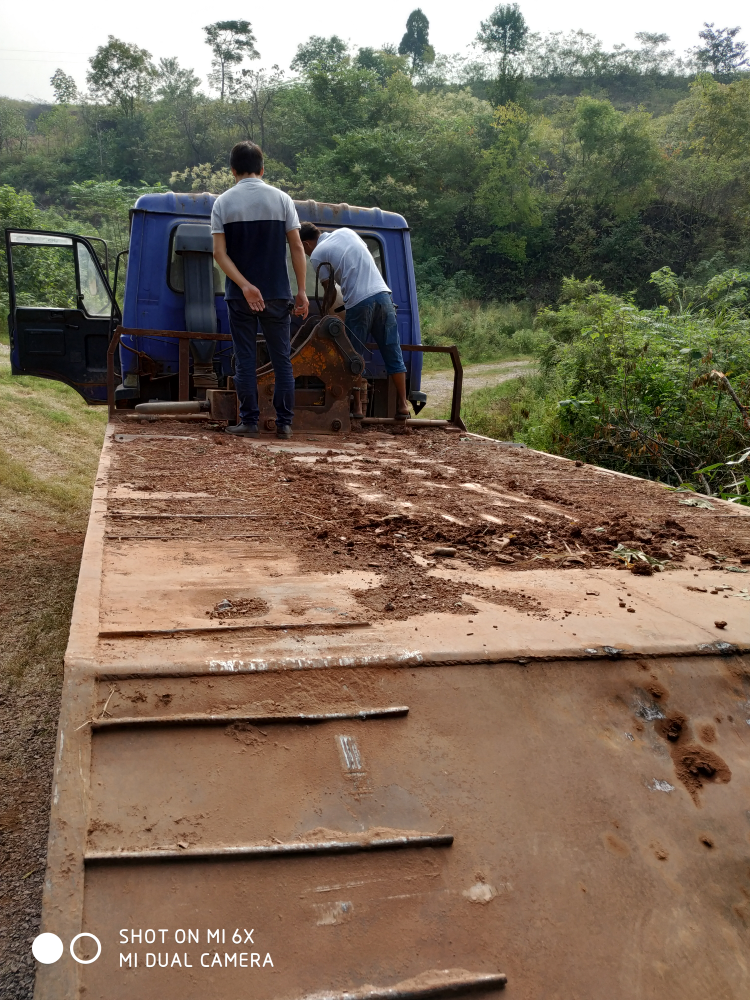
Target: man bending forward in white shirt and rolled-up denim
{"x":370,"y":313}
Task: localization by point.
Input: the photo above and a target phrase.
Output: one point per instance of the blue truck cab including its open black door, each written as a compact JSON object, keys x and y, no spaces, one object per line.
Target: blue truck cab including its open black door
{"x":63,"y":309}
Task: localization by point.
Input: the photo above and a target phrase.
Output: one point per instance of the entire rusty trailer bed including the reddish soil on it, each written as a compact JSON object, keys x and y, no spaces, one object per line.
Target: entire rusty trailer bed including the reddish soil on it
{"x":396,"y":719}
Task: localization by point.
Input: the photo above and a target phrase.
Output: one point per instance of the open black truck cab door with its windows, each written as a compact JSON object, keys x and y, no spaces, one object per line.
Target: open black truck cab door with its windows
{"x":61,"y":310}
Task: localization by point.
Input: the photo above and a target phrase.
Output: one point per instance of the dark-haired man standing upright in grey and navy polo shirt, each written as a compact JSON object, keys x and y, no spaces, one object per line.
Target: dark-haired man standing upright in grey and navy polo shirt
{"x":251,"y":225}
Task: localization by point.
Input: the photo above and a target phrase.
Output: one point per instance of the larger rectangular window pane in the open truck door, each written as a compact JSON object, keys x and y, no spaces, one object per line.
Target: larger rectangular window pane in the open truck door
{"x":44,"y":271}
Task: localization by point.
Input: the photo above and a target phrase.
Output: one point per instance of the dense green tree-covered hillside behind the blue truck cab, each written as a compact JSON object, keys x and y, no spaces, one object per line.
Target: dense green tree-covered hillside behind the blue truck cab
{"x":540,"y":158}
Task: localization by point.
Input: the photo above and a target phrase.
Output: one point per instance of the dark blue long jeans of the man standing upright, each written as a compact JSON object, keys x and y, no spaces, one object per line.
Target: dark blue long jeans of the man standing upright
{"x":275,"y":321}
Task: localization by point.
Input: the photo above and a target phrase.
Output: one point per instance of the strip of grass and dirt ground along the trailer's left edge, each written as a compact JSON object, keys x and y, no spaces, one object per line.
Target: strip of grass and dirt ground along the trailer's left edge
{"x":49,"y":448}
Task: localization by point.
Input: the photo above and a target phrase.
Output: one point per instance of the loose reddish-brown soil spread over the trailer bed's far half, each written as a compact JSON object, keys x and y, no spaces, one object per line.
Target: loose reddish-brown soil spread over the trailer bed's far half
{"x":375,"y":501}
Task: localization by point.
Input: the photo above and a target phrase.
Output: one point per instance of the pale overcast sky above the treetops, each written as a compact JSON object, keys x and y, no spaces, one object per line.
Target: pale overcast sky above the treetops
{"x":37,"y":38}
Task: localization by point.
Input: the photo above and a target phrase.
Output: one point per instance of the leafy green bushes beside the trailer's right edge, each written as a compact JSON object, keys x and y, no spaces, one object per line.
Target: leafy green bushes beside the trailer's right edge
{"x":663,"y":393}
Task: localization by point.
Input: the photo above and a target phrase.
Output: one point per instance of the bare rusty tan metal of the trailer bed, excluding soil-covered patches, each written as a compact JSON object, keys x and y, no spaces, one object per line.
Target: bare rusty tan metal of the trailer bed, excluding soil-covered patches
{"x":326,"y":804}
